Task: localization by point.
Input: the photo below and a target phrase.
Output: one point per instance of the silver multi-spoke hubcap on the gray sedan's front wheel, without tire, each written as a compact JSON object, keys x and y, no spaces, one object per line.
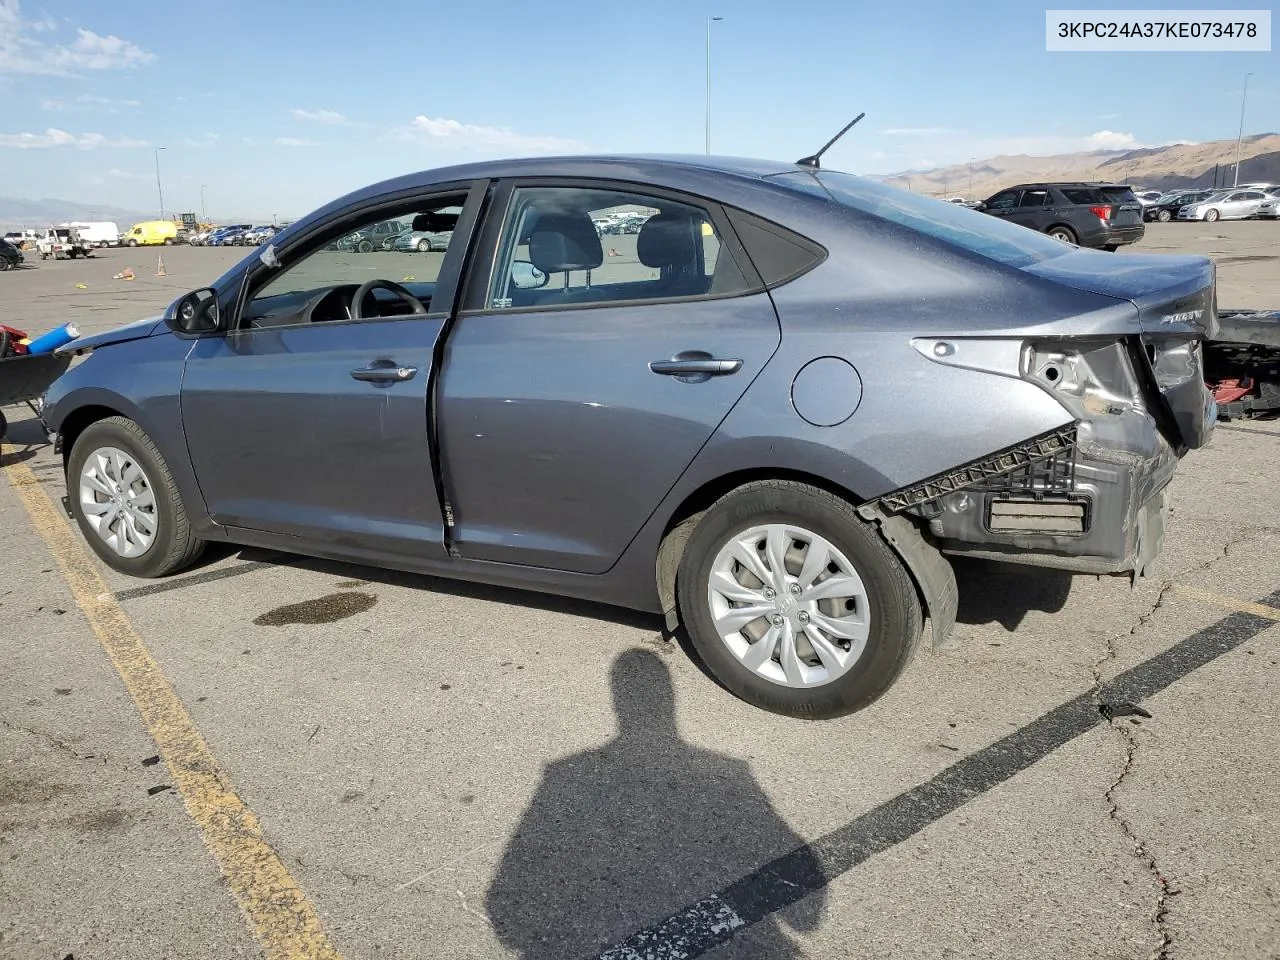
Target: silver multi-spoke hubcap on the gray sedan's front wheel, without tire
{"x":118,"y":502}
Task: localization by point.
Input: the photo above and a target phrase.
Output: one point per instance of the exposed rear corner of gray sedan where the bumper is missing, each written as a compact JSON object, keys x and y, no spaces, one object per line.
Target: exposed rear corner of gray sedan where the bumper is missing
{"x":1087,"y":499}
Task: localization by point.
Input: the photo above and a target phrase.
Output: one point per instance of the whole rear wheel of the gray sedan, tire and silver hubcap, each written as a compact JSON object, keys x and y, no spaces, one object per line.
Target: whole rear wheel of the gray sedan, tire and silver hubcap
{"x":794,"y":604}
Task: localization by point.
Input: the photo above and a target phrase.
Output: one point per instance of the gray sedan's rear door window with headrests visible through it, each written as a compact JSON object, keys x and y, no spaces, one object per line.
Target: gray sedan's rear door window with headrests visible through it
{"x":572,"y":246}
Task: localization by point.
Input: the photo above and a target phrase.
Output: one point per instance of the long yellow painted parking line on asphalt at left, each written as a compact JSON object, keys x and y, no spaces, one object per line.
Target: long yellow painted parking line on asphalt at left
{"x":282,"y":918}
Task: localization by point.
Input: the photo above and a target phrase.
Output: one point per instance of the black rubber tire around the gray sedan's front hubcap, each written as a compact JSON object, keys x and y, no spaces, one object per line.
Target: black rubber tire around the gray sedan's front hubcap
{"x":175,"y":546}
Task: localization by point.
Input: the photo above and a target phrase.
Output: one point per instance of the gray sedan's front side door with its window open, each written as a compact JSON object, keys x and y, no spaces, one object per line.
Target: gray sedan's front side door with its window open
{"x":310,"y":418}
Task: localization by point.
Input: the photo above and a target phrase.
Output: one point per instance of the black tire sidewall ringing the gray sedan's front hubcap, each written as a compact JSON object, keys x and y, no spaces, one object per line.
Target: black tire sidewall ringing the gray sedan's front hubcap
{"x":113,"y":433}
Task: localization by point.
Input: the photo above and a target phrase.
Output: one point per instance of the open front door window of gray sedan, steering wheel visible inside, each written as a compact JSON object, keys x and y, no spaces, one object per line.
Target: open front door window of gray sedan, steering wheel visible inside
{"x":318,"y":286}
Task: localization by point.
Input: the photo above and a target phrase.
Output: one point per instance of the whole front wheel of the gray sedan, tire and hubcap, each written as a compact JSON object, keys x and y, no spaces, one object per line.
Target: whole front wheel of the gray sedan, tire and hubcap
{"x":127,"y":504}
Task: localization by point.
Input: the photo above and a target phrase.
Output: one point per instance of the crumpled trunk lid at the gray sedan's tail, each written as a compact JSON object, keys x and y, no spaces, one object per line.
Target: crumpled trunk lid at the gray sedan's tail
{"x":1177,"y":307}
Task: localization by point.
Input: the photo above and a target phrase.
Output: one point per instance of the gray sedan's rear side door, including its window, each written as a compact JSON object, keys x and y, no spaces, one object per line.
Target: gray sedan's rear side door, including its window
{"x":592,"y":371}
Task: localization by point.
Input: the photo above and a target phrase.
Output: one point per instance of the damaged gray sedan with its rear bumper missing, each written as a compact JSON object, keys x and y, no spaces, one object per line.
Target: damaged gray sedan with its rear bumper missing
{"x":771,"y":415}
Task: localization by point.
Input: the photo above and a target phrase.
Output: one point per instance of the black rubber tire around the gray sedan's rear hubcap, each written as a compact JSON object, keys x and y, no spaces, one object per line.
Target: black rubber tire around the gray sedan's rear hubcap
{"x":894,"y":606}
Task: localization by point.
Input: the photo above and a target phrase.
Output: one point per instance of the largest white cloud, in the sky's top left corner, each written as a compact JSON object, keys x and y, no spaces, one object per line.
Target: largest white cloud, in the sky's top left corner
{"x":22,"y":52}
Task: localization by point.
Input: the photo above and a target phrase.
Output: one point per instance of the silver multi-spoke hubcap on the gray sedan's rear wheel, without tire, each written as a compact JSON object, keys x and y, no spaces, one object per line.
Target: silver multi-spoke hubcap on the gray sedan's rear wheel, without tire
{"x":789,"y":605}
